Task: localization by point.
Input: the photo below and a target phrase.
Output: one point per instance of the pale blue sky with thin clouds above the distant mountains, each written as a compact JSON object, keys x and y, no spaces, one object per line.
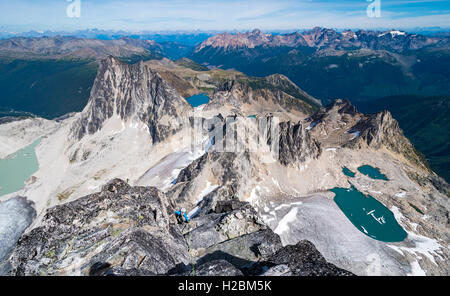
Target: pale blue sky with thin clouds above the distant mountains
{"x":138,"y":15}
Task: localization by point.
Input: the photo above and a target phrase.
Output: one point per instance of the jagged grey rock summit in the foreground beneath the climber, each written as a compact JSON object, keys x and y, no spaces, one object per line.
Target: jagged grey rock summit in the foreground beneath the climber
{"x":126,"y":230}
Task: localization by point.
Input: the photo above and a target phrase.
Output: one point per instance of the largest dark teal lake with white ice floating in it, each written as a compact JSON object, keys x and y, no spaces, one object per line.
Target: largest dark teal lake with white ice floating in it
{"x":368,"y":215}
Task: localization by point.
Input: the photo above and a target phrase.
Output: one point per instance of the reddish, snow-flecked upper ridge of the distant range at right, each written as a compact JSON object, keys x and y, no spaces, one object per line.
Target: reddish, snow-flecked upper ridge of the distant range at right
{"x":319,"y":39}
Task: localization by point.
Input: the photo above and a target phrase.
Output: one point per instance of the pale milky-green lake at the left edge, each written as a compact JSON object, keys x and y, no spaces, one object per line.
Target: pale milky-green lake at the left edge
{"x":16,"y":168}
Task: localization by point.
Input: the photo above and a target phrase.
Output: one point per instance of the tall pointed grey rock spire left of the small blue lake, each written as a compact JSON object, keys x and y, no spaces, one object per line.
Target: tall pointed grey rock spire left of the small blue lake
{"x":134,"y":93}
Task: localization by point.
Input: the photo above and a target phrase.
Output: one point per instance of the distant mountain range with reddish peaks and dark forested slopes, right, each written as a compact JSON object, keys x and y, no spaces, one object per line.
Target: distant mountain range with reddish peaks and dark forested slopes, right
{"x":357,"y":65}
